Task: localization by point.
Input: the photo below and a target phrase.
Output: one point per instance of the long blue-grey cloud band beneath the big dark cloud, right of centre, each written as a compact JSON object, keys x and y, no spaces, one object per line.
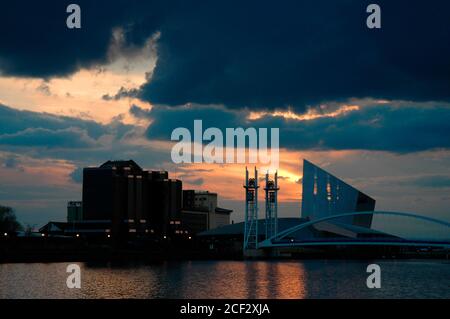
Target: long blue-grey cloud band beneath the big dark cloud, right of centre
{"x":398,"y":127}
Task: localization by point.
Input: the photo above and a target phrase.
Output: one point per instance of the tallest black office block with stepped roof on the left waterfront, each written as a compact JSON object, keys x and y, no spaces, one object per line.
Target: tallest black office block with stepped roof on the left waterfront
{"x":135,"y":200}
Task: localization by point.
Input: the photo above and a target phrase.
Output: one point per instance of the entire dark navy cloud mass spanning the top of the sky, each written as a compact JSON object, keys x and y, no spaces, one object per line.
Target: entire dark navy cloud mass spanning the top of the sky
{"x":252,"y":53}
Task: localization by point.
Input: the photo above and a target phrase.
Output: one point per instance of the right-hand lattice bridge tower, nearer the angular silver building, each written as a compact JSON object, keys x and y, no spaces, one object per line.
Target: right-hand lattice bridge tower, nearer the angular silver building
{"x":271,"y":190}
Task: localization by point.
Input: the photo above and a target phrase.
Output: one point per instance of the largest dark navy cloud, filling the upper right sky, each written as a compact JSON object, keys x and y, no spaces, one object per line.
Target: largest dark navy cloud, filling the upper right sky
{"x":263,"y":55}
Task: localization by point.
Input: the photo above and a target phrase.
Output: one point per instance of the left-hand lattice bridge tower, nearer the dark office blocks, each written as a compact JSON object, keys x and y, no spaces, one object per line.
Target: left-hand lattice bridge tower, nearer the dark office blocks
{"x":251,"y":211}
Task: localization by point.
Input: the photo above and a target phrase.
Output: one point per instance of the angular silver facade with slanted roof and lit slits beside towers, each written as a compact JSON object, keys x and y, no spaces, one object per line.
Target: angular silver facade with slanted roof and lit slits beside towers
{"x":325,"y":195}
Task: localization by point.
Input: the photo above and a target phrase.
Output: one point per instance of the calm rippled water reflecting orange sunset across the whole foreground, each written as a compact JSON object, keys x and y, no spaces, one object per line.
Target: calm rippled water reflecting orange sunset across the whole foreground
{"x":229,"y":279}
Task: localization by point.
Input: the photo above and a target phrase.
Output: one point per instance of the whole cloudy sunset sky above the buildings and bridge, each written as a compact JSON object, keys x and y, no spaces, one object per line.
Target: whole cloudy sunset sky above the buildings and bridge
{"x":372,"y":106}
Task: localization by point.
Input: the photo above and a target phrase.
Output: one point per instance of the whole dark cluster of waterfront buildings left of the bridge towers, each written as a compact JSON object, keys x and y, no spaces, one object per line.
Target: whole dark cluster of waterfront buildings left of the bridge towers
{"x":122,"y":201}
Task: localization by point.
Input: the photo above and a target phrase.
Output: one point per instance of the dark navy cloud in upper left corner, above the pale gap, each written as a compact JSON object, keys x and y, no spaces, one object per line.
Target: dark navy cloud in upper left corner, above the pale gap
{"x":36,"y":41}
